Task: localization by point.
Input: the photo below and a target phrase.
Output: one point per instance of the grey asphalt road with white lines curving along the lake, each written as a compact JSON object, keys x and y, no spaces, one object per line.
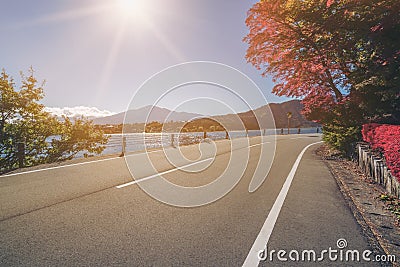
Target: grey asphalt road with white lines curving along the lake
{"x":94,"y":215}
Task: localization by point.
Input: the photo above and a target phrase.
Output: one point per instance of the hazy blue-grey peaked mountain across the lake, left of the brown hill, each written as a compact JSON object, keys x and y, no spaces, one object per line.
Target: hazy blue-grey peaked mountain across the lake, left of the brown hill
{"x":140,"y":115}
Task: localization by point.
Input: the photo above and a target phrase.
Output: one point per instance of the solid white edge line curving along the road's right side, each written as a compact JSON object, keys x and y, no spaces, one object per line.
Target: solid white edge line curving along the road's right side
{"x":262,"y":239}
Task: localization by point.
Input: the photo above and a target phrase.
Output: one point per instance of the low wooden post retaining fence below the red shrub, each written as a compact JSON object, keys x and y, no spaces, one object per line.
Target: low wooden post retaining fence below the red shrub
{"x":374,"y":166}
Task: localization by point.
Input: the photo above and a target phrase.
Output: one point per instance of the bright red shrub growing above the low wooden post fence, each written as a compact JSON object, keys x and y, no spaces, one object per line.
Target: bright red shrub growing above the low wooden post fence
{"x":386,"y":139}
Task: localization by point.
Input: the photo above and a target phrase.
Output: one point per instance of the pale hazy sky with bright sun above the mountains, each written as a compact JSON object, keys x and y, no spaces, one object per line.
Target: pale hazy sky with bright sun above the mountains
{"x":95,"y":54}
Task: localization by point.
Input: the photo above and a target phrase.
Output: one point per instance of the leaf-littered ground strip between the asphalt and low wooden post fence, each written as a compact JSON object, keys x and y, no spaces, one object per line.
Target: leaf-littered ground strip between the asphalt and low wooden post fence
{"x":362,"y":196}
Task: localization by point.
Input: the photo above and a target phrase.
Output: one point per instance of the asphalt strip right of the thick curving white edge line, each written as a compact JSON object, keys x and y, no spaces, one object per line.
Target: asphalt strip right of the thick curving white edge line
{"x":316,"y":217}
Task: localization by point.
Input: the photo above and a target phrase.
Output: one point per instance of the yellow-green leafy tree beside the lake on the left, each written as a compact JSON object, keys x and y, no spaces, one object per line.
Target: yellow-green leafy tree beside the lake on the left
{"x":24,"y":120}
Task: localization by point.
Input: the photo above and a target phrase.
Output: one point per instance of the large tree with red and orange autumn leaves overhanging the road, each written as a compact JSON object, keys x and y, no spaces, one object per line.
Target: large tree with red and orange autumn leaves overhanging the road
{"x":341,"y":58}
